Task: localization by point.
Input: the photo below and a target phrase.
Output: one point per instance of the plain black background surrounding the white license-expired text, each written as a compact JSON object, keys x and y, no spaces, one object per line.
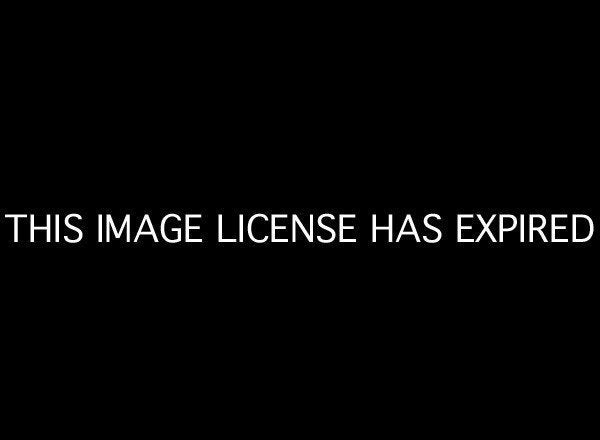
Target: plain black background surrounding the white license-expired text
{"x":368,"y":113}
